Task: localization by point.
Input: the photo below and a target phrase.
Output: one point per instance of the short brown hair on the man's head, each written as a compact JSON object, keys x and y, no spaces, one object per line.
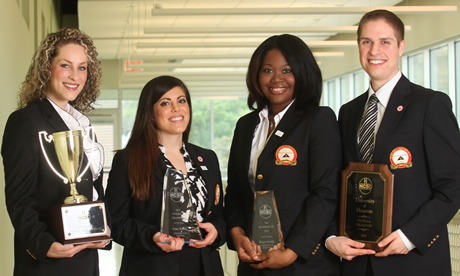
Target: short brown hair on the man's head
{"x":389,"y":17}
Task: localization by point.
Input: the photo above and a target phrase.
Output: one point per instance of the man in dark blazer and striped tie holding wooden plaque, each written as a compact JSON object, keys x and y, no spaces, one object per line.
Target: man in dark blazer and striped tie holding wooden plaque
{"x":416,"y":124}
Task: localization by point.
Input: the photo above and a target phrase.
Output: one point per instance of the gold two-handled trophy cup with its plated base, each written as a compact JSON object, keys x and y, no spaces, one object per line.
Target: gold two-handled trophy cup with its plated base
{"x":77,"y":221}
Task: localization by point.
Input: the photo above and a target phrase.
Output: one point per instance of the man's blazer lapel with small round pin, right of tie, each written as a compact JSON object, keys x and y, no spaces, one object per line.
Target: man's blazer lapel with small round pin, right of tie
{"x":393,"y":114}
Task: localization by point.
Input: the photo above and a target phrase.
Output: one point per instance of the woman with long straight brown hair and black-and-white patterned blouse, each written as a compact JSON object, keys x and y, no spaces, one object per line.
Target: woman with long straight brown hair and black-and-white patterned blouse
{"x":159,"y":141}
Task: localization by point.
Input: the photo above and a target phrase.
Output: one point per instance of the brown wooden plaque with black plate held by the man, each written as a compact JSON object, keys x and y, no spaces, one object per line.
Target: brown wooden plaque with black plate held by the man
{"x":366,"y":203}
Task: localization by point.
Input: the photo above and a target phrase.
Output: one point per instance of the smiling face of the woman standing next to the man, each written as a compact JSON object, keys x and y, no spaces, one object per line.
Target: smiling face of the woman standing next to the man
{"x":276,"y":81}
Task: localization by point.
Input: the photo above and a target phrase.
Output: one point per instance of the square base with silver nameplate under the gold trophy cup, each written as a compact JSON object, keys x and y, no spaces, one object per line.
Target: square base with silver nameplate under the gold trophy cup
{"x":80,"y":223}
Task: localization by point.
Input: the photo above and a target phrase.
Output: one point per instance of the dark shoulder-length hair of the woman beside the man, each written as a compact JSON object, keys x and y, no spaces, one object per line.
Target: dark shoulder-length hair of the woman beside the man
{"x":307,"y":75}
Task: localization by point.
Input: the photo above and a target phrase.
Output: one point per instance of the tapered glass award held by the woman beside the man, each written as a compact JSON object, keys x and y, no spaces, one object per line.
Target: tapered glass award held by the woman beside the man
{"x":266,"y":226}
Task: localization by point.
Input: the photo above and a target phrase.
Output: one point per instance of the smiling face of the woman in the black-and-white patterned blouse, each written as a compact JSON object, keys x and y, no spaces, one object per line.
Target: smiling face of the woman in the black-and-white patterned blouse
{"x":172,"y":113}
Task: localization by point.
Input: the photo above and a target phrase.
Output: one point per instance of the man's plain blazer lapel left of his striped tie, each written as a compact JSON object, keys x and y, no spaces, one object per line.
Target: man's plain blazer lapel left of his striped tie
{"x":353,"y":125}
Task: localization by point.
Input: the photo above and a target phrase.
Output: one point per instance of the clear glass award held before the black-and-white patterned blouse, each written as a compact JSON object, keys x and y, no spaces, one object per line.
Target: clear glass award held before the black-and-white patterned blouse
{"x":178,"y":217}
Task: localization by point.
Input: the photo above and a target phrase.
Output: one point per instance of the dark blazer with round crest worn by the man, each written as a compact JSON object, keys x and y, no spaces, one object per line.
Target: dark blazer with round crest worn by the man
{"x":426,"y":194}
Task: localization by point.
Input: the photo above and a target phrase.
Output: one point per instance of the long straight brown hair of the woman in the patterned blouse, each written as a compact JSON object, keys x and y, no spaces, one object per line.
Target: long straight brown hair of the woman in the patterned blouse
{"x":143,"y":143}
